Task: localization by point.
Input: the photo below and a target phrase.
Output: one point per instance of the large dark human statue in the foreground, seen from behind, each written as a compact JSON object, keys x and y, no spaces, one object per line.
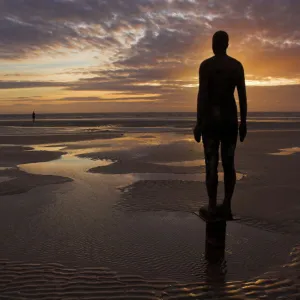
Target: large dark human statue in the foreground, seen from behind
{"x":217,"y":118}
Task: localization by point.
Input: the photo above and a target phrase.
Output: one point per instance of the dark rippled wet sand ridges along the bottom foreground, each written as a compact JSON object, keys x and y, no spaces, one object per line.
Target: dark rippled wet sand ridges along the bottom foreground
{"x":103,"y":283}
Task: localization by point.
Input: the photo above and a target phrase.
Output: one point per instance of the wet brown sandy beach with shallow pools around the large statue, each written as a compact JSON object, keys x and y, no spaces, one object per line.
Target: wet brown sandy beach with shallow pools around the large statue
{"x":98,"y":213}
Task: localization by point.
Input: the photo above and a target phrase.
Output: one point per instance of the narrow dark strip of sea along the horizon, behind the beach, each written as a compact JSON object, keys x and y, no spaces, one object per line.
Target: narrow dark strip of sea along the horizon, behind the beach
{"x":145,"y":121}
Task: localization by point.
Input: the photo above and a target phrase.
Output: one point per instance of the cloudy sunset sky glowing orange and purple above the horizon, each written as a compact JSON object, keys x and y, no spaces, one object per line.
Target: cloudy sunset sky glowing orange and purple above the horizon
{"x":142,"y":55}
